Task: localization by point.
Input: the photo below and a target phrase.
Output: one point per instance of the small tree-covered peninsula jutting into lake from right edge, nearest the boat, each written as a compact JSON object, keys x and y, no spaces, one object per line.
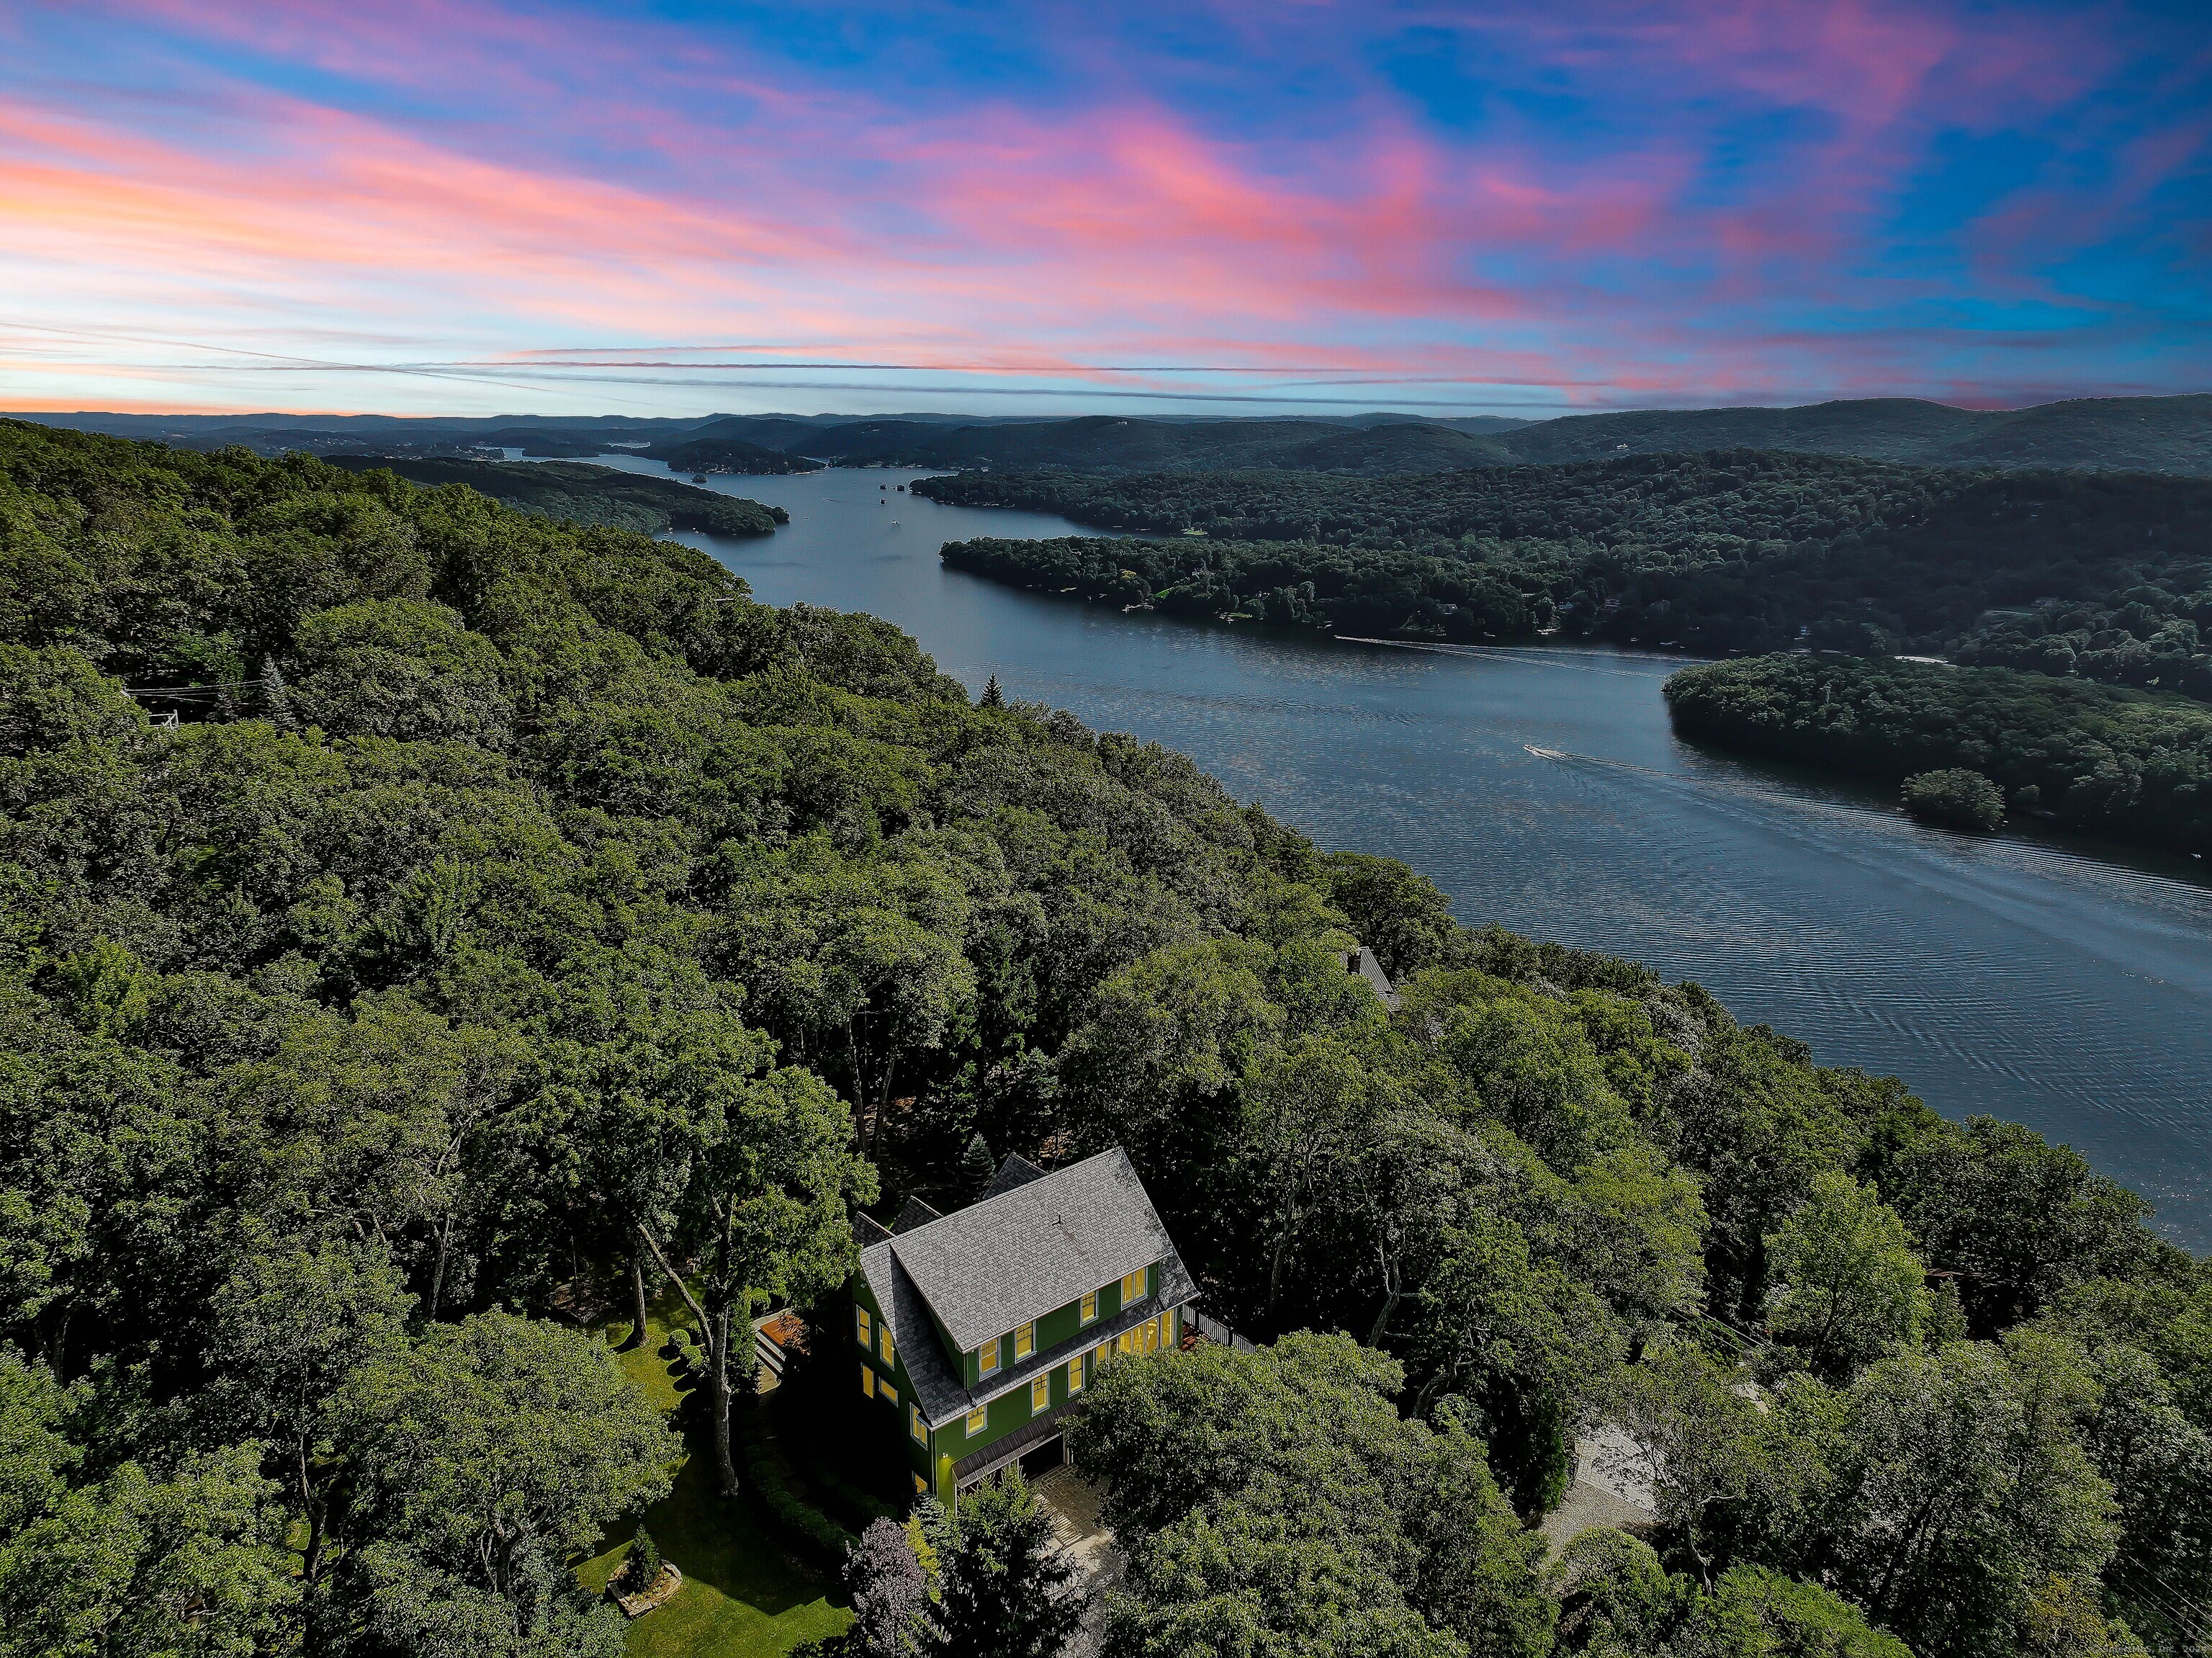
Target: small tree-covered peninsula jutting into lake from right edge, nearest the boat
{"x":2125,"y":765}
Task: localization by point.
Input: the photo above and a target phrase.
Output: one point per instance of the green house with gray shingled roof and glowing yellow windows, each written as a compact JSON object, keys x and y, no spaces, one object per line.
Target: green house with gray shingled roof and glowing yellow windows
{"x":979,"y":1331}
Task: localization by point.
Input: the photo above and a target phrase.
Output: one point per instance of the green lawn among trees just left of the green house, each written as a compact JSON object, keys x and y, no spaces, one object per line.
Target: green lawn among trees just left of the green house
{"x":744,"y":1595}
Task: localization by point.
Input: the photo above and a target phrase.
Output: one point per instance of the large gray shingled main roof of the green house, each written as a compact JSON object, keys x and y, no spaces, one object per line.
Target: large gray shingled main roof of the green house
{"x":1005,"y":1261}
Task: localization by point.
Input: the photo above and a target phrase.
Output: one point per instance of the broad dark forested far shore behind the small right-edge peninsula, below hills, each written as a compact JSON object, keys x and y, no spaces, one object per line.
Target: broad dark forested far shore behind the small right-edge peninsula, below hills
{"x":1715,"y":552}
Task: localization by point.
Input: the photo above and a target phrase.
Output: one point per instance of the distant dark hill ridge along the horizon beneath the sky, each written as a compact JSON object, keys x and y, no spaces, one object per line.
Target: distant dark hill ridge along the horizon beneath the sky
{"x":2103,"y":435}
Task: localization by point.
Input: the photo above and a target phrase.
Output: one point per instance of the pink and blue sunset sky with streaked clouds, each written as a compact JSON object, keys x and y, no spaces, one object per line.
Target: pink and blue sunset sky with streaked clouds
{"x":1032,"y":209}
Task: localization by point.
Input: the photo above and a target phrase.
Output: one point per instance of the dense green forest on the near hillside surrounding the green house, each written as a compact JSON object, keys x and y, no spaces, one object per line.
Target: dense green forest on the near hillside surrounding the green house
{"x":521,"y":906}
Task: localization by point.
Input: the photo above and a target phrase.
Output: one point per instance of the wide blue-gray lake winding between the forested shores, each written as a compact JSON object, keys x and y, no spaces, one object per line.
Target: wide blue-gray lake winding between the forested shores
{"x":2025,"y":977}
